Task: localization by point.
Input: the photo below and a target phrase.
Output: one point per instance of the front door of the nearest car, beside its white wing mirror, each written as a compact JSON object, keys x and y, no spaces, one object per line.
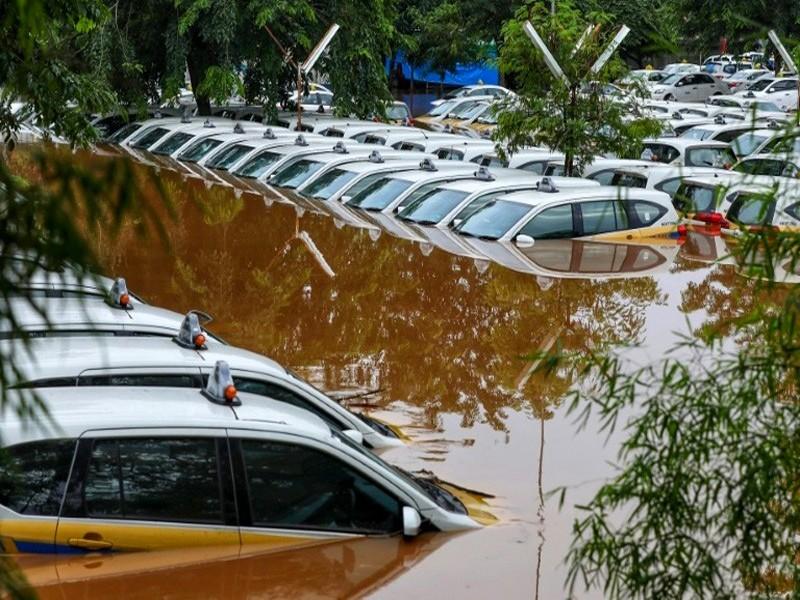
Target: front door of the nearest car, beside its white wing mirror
{"x":294,"y":492}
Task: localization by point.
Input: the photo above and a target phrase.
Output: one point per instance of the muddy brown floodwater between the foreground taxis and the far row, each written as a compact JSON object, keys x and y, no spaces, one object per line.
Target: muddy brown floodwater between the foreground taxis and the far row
{"x":438,"y":342}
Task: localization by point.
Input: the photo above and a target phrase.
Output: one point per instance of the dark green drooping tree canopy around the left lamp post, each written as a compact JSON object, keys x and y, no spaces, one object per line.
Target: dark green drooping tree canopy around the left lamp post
{"x":226,"y":49}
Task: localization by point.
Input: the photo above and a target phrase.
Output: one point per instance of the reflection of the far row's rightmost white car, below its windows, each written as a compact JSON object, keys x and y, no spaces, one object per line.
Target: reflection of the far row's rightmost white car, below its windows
{"x":579,"y":259}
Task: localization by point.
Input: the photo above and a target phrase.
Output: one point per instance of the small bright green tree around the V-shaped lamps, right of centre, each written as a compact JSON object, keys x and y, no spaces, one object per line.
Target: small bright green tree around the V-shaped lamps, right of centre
{"x":574,"y":116}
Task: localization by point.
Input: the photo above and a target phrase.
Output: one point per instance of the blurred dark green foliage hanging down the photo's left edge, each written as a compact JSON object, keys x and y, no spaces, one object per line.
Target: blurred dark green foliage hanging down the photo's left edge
{"x":51,"y":217}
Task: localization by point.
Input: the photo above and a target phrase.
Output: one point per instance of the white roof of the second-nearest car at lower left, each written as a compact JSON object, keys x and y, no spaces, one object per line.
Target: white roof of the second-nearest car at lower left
{"x":58,"y":357}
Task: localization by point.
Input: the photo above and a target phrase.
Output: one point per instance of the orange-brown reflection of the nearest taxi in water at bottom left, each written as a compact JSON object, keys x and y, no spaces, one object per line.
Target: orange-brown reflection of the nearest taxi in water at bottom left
{"x":350,"y":568}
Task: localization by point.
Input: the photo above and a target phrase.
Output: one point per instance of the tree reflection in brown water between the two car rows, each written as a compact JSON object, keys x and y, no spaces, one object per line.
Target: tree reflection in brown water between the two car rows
{"x":431,"y":331}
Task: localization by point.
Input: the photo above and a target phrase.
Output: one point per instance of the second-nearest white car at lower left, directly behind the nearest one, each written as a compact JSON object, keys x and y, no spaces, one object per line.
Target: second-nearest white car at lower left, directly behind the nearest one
{"x":180,"y":362}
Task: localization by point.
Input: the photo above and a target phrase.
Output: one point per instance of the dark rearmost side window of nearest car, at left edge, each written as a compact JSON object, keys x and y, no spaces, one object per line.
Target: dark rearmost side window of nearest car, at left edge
{"x":33,"y":476}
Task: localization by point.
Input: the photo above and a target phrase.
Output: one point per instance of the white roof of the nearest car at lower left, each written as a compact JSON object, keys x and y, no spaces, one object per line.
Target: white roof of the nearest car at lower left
{"x":73,"y":411}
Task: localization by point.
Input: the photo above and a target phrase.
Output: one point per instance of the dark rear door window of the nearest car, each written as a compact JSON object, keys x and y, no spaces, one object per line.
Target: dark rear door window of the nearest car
{"x":148,"y":479}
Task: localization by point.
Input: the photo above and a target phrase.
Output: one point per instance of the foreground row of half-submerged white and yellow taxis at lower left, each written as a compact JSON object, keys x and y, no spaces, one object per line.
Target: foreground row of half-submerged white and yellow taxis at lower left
{"x":158,"y":434}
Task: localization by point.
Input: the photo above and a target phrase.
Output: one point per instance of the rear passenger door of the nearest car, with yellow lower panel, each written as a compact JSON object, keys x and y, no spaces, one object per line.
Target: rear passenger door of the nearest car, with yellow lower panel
{"x":149,"y":489}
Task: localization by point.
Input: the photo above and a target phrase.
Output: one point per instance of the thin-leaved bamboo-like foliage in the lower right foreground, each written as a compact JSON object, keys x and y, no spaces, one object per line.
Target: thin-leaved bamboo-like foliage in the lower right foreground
{"x":704,"y":503}
